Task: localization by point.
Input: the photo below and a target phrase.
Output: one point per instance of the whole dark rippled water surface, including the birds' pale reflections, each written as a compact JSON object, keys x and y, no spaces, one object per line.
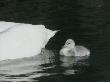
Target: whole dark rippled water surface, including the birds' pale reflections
{"x":85,"y":21}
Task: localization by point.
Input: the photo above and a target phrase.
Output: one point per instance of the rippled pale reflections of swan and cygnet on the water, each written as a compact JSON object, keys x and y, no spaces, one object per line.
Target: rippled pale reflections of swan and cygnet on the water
{"x":39,"y":67}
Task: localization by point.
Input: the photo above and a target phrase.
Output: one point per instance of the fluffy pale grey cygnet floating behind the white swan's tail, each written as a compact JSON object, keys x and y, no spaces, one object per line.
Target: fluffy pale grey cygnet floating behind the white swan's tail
{"x":69,"y":49}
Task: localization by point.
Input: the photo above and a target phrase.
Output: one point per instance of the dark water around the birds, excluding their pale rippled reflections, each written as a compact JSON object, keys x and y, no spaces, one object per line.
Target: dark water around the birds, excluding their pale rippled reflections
{"x":85,"y":21}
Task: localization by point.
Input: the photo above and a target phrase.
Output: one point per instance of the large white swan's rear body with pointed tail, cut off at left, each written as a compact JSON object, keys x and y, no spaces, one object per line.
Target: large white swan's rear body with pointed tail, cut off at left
{"x":18,"y":40}
